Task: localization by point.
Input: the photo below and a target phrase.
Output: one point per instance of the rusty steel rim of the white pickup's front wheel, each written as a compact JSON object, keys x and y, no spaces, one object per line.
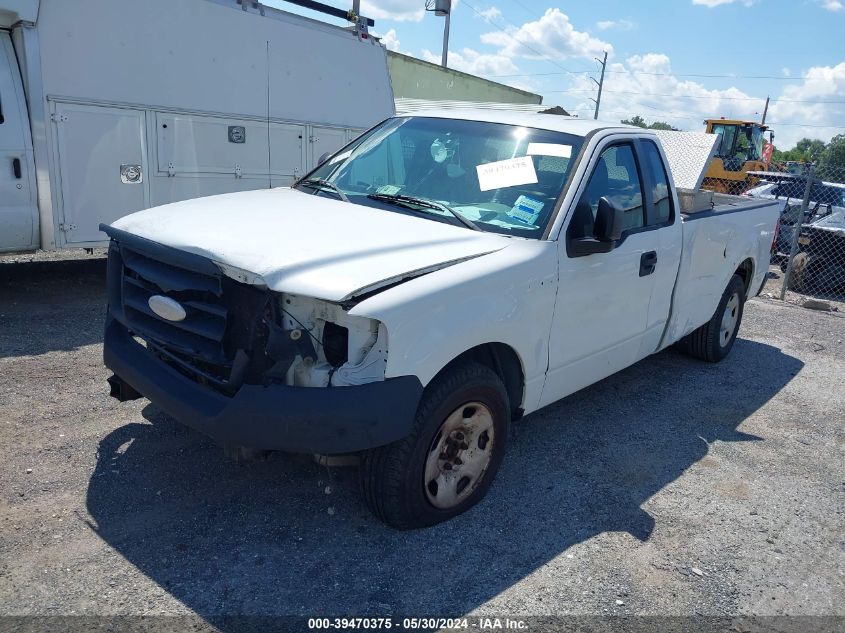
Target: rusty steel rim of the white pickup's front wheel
{"x":459,"y":455}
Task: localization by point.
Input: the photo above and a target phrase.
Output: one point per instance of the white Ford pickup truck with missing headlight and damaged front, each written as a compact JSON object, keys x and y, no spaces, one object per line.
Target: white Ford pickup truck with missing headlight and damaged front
{"x":433,"y":281}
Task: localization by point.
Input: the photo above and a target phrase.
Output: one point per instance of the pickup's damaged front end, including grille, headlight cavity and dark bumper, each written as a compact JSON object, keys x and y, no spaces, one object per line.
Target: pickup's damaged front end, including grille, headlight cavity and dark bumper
{"x":243,"y":364}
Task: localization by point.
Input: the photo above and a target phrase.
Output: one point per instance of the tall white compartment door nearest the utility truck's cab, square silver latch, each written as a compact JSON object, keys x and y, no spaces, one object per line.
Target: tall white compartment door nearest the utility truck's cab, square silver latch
{"x":103,"y":167}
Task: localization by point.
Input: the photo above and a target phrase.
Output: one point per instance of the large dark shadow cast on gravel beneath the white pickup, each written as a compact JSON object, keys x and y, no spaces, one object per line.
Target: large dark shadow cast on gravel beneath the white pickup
{"x":265,"y":538}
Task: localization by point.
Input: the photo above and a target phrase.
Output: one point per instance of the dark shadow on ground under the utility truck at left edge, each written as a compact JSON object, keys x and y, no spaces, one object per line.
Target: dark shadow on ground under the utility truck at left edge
{"x":51,"y":305}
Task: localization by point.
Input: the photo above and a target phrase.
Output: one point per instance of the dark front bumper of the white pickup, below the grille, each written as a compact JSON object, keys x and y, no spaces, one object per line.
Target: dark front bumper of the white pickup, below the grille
{"x":328,"y":420}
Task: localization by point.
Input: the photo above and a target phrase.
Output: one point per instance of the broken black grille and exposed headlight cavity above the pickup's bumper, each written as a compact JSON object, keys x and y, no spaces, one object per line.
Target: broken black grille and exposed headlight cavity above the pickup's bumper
{"x":232,"y":330}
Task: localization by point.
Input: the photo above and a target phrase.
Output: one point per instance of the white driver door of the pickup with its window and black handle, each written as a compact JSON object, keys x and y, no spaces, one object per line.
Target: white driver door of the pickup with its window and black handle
{"x":601,"y":313}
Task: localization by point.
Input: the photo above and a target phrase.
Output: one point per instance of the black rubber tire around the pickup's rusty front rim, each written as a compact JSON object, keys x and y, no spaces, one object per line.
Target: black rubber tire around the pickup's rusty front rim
{"x":393,"y":476}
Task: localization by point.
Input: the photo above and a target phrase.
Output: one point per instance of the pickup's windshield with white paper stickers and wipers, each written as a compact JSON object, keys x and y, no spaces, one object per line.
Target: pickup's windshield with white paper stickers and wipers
{"x":500,"y":178}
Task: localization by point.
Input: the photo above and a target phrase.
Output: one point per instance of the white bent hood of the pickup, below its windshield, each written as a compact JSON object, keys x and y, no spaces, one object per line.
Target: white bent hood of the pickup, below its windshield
{"x":309,"y":245}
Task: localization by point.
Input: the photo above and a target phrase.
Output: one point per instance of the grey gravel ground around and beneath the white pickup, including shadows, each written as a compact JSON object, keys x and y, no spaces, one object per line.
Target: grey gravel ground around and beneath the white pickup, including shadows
{"x":673,"y":487}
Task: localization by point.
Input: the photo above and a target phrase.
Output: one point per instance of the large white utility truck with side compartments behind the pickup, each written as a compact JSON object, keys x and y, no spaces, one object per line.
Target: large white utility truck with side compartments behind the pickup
{"x":111,"y":106}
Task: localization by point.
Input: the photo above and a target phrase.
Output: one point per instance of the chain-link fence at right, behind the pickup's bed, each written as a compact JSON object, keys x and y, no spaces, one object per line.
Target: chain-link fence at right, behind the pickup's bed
{"x":808,"y":252}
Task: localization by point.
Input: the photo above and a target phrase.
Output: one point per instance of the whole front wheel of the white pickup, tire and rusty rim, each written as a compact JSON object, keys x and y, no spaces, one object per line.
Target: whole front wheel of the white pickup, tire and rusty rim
{"x":446,"y":465}
